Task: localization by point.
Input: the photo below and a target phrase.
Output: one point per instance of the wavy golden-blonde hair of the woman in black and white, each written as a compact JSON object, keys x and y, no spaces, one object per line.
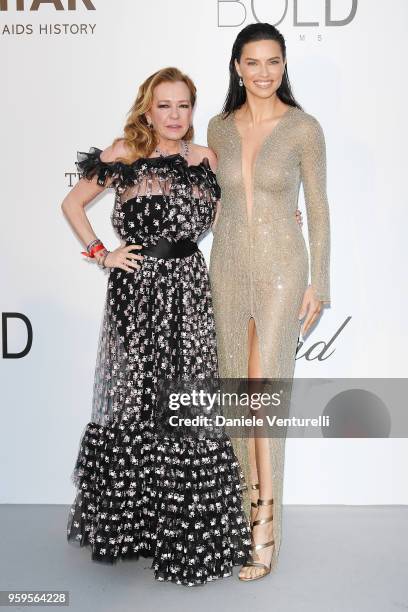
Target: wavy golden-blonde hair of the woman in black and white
{"x":139,"y":138}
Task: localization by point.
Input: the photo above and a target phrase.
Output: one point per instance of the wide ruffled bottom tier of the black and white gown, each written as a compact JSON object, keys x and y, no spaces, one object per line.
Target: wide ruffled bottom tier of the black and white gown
{"x":177,"y":501}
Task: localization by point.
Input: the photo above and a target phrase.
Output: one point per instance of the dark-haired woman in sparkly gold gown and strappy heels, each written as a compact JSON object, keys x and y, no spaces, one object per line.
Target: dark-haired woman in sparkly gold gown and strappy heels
{"x":266,"y":146}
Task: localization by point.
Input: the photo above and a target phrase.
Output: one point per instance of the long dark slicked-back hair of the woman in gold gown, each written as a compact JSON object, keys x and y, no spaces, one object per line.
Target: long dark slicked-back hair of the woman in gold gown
{"x":236,"y":95}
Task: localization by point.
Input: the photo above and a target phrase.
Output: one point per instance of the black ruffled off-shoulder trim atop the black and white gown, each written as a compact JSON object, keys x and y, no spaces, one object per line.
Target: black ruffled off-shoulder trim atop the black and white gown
{"x":90,"y":164}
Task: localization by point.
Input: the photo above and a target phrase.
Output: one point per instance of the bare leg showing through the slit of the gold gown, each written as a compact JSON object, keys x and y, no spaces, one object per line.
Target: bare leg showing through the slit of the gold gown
{"x":262,"y":467}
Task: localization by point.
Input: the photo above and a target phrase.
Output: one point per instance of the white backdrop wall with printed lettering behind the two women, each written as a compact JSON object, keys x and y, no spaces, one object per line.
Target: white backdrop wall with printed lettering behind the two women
{"x":70,"y":73}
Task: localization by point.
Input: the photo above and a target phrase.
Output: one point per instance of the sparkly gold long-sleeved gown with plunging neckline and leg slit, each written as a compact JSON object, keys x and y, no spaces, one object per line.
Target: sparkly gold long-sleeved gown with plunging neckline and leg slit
{"x":260,"y":268}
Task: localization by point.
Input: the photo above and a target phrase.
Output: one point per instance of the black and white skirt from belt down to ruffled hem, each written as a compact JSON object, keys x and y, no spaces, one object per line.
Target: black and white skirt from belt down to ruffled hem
{"x":175,"y":498}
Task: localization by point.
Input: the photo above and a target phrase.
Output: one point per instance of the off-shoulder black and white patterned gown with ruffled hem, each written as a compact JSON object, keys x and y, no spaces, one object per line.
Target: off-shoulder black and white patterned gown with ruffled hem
{"x":140,"y":493}
